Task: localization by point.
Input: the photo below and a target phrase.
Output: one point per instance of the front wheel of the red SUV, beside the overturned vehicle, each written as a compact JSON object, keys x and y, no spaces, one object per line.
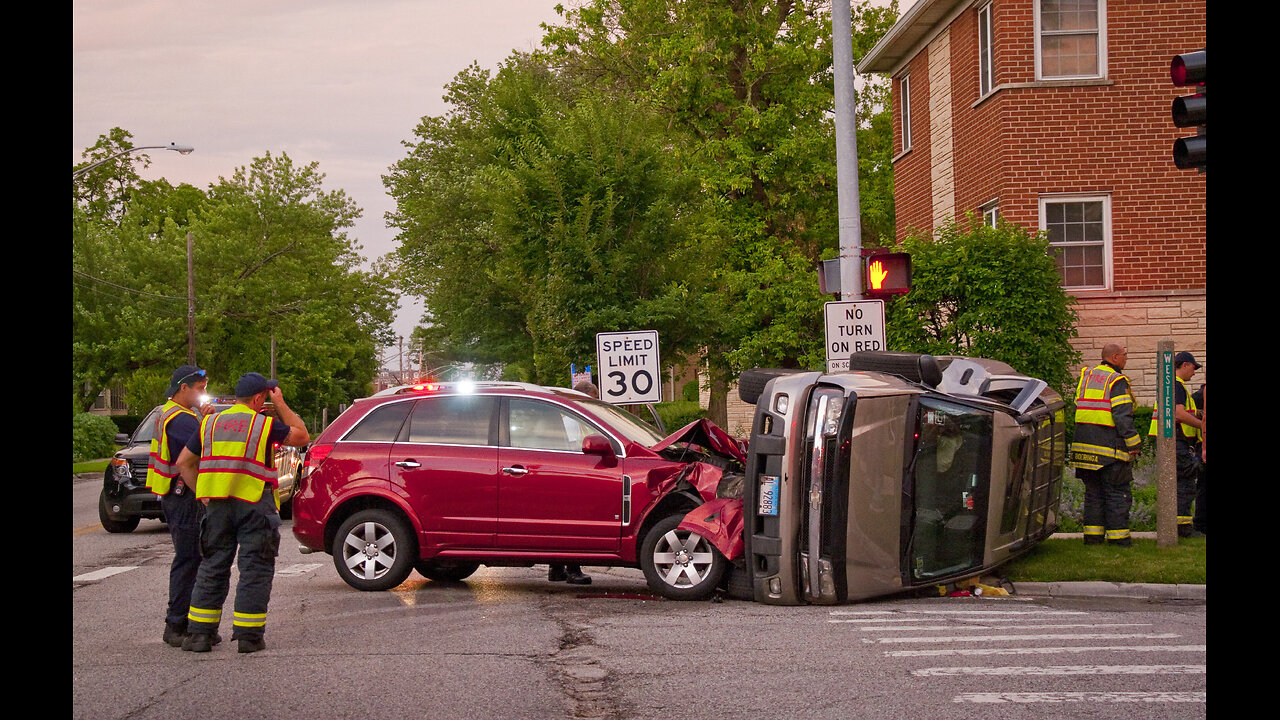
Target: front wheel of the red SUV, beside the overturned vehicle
{"x":680,"y":564}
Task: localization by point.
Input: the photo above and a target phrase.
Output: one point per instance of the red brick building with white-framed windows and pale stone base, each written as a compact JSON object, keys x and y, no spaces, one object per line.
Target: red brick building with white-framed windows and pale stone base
{"x":1055,"y":115}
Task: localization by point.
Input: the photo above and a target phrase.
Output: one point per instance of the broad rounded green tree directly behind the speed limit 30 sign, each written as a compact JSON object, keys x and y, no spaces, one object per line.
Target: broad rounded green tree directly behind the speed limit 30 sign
{"x":536,"y":215}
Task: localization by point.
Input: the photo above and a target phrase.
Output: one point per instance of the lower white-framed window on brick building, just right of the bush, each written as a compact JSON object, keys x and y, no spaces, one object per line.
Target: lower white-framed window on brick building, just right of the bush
{"x":1080,"y":236}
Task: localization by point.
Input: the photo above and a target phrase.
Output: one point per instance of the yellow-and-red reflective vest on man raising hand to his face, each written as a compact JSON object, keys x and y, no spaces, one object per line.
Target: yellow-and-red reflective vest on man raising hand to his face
{"x":236,"y":455}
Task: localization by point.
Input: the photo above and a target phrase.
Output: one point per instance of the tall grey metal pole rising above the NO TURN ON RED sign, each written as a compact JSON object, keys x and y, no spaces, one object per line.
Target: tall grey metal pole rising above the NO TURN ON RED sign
{"x":847,"y":153}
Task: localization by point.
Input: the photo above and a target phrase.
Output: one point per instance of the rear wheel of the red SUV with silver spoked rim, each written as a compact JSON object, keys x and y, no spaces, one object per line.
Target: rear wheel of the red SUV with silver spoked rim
{"x":374,"y":550}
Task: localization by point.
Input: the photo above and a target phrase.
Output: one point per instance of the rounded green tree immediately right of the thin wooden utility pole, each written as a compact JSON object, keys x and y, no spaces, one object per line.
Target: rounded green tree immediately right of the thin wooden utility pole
{"x":275,"y":263}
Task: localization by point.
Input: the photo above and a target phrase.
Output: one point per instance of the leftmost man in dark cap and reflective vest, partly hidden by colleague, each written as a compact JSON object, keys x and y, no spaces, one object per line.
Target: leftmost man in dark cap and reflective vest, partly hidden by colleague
{"x":175,"y":426}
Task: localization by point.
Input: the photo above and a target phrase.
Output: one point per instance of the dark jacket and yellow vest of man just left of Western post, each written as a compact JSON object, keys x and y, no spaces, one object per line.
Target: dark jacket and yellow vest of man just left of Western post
{"x":1104,"y":420}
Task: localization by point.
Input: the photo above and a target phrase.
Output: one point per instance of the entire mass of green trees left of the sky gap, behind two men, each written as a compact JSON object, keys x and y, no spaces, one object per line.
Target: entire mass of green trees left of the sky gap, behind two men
{"x":272,"y":261}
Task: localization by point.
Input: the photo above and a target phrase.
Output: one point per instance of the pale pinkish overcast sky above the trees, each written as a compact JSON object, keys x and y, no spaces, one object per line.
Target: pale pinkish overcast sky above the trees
{"x":339,"y":83}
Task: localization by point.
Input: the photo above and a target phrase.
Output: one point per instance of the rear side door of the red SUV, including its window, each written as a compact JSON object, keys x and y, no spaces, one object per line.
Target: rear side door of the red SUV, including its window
{"x":446,"y":462}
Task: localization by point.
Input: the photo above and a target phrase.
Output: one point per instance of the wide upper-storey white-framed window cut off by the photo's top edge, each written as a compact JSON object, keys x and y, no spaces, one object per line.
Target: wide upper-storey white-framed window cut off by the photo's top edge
{"x":1071,"y":39}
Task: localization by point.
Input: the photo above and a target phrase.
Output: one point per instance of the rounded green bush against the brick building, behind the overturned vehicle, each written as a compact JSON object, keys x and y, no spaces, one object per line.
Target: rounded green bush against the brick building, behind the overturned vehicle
{"x":988,"y":293}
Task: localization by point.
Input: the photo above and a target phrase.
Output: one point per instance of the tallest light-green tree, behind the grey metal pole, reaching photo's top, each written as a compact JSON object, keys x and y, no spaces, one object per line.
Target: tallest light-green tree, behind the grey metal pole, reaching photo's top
{"x":751,"y":84}
